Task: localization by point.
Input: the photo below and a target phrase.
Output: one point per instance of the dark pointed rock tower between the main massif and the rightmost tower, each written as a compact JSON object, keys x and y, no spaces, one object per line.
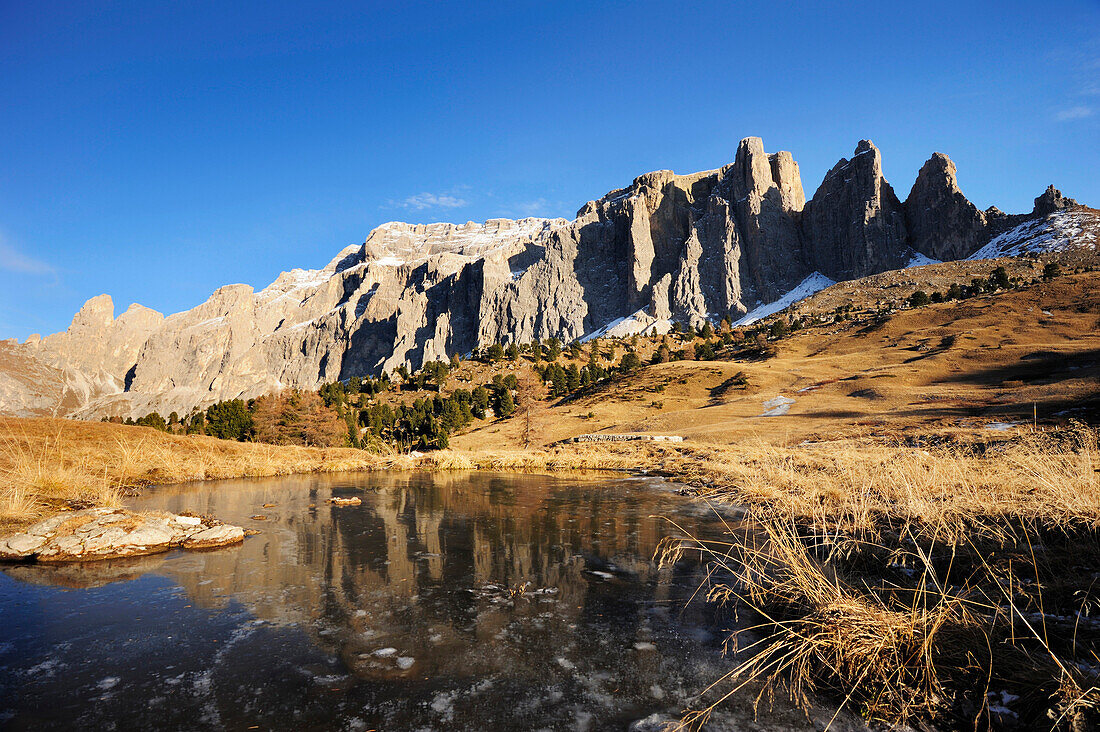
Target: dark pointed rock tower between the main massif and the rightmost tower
{"x":855,"y":226}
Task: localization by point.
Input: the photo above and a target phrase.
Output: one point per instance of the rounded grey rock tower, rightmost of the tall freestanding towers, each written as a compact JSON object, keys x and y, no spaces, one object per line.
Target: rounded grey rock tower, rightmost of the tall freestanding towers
{"x":942,"y":223}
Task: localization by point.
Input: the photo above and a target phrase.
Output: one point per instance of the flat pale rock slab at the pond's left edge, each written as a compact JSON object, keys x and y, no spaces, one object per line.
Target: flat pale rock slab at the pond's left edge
{"x":112,"y":533}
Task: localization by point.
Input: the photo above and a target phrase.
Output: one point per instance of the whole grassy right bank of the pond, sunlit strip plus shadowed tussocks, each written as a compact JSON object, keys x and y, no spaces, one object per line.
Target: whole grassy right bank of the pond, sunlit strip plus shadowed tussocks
{"x":908,"y":583}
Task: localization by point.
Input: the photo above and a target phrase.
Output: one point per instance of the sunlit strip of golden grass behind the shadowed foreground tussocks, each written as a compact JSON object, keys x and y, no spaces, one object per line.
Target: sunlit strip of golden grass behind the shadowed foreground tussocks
{"x":1039,"y":479}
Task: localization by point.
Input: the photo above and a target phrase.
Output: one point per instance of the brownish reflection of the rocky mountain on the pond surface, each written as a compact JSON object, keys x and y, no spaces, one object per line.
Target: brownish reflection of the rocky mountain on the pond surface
{"x":439,"y":575}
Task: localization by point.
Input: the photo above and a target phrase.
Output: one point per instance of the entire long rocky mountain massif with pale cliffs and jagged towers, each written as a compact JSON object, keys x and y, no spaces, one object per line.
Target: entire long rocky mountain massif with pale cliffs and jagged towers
{"x":668,"y":247}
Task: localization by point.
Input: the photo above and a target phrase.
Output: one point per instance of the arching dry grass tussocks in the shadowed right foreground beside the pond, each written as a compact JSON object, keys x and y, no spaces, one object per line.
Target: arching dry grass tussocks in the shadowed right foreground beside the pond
{"x":926,"y":651}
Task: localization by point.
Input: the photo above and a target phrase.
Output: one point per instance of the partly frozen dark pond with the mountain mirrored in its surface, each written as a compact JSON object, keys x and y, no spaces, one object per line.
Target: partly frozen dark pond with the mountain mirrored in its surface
{"x":444,"y":602}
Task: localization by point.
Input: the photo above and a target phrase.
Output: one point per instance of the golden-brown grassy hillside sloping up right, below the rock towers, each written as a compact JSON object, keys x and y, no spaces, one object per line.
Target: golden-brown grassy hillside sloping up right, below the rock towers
{"x":1009,"y":357}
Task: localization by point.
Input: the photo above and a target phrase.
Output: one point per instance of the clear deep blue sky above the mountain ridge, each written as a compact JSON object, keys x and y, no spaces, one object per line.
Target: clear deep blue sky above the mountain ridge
{"x":156,"y":151}
